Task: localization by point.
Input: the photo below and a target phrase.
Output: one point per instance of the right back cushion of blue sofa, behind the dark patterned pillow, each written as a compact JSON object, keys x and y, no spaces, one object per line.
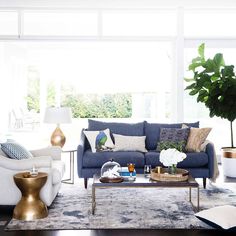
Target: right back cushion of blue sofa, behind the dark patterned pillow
{"x":152,"y":132}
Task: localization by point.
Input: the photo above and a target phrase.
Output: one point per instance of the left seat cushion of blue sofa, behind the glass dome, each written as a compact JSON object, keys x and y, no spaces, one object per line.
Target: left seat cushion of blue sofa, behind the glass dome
{"x":96,"y":160}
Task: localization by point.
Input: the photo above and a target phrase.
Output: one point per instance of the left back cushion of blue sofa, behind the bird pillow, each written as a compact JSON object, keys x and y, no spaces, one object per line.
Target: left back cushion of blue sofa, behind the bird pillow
{"x":131,"y":129}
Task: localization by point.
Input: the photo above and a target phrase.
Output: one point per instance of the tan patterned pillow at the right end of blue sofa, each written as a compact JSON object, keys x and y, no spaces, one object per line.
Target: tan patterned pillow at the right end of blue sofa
{"x":197,"y":136}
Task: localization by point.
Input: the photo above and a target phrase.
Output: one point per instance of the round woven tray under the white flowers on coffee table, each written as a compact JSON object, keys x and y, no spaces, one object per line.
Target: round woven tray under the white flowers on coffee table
{"x":181,"y":175}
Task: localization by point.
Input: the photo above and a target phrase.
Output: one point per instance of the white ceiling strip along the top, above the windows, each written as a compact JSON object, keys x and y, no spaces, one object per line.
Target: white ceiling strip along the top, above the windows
{"x":116,"y":3}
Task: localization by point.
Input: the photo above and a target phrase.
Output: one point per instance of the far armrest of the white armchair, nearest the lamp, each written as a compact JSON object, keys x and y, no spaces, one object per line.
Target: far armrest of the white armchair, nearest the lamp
{"x":52,"y":151}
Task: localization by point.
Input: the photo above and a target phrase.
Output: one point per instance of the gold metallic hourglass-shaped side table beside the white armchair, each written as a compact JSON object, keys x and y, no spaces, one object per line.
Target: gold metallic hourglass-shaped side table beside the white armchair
{"x":30,"y":207}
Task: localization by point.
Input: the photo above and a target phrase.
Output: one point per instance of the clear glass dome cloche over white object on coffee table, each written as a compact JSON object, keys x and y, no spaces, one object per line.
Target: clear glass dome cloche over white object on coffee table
{"x":110,"y":169}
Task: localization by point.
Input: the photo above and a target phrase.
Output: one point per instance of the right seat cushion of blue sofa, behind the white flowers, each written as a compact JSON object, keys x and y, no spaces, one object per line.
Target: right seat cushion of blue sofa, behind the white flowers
{"x":193,"y":160}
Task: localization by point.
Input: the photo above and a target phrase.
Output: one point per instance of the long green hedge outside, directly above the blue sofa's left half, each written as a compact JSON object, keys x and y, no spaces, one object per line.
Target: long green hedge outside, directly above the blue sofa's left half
{"x":99,"y":106}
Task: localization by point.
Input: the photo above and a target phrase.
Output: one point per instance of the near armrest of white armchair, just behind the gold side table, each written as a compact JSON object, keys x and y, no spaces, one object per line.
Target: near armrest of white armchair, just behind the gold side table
{"x":25,"y":164}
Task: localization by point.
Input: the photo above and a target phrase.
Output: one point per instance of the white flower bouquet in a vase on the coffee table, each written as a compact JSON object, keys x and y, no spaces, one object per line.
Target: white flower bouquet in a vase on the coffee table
{"x":171,"y":157}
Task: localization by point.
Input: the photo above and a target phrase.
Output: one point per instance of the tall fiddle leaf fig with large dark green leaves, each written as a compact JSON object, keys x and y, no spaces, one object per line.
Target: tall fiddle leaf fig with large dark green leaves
{"x":214,"y":84}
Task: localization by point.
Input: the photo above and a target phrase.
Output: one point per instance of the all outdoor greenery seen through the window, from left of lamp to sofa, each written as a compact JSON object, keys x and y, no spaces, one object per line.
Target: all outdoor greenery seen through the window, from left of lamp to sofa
{"x":83,"y":106}
